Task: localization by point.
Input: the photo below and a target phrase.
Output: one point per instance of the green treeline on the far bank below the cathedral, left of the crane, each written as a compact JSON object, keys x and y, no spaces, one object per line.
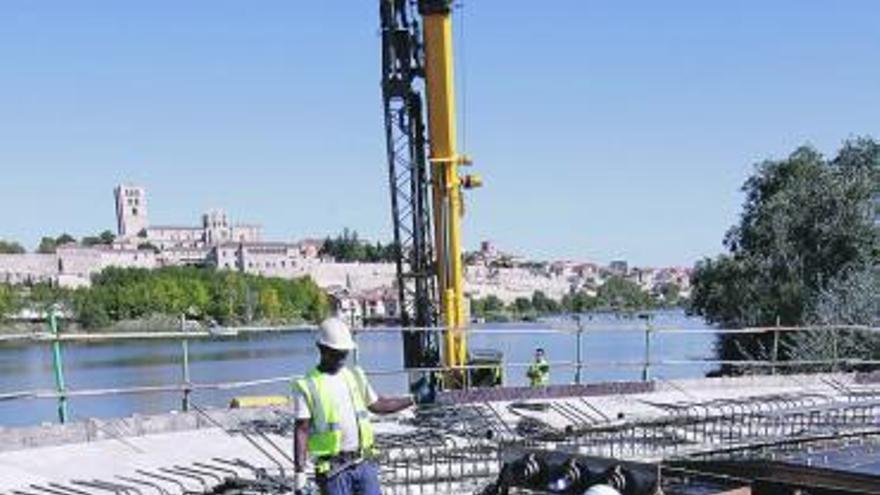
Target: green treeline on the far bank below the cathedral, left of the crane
{"x":227,"y":297}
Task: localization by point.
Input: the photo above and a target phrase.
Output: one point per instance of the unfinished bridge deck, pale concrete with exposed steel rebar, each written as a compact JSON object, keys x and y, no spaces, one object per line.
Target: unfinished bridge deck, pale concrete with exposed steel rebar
{"x":701,"y":427}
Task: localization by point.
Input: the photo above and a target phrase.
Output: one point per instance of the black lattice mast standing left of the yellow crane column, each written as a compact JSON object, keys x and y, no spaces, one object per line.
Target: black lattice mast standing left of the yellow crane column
{"x":402,"y":88}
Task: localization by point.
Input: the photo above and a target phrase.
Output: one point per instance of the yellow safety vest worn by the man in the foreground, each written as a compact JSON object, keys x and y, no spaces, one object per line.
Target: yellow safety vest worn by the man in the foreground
{"x":325,"y":437}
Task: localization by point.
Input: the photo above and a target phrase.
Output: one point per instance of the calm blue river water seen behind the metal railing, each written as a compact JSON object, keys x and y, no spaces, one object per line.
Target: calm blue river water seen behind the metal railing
{"x":608,"y":338}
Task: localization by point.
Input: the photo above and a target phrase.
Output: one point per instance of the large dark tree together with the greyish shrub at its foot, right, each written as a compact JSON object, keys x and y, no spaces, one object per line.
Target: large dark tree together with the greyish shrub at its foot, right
{"x":806,"y":250}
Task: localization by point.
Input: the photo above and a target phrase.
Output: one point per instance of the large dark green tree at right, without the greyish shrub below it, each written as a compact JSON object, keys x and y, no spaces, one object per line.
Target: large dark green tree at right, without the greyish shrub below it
{"x":805,"y":221}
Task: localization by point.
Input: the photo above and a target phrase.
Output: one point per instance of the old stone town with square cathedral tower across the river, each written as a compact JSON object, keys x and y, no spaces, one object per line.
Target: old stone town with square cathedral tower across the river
{"x":359,"y":284}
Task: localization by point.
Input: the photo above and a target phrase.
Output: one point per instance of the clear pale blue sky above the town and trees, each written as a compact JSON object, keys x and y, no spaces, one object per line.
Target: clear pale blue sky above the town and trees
{"x":603,"y":129}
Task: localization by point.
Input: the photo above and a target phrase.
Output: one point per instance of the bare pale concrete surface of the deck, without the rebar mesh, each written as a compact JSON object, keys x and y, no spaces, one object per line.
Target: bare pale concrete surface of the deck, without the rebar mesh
{"x":108,"y":450}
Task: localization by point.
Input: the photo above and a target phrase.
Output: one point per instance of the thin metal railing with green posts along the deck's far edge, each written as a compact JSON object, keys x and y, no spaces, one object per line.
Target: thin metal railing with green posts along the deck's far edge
{"x":186,"y":386}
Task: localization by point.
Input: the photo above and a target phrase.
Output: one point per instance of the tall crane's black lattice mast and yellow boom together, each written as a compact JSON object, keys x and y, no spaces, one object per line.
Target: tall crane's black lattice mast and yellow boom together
{"x":426,"y":199}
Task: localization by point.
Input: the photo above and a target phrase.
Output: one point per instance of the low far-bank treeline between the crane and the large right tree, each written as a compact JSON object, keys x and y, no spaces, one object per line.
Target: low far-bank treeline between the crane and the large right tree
{"x":616,"y":294}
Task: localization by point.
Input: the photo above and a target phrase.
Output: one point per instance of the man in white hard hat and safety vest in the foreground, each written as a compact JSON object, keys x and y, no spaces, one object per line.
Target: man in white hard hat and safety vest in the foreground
{"x":331,"y":405}
